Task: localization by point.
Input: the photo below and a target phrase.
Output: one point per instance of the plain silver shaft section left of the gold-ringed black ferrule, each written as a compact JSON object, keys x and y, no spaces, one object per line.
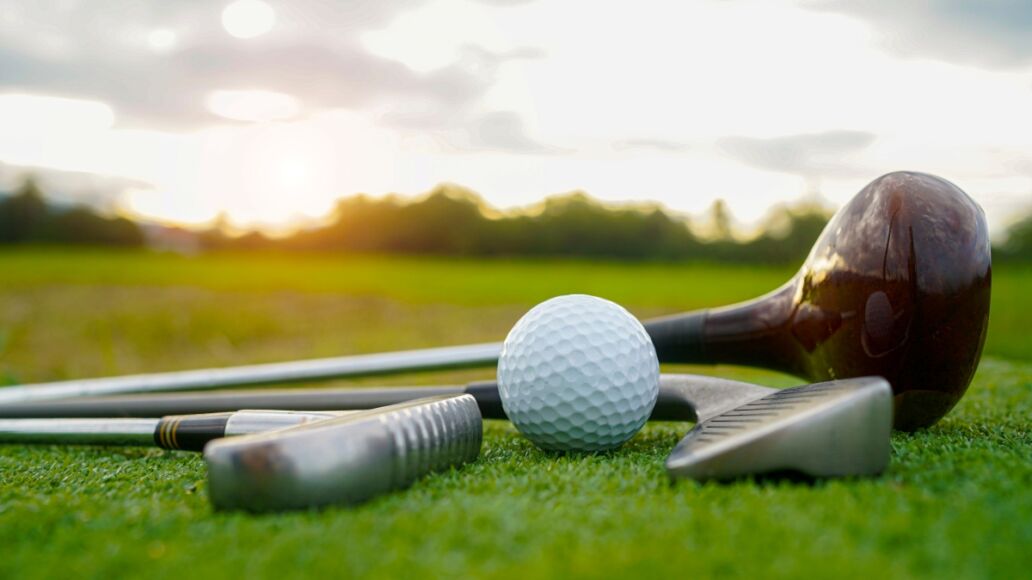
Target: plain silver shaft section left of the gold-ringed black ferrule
{"x":79,"y":432}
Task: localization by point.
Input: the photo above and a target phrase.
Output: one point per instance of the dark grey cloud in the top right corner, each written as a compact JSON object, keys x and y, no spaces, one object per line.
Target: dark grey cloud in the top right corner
{"x":986,"y":34}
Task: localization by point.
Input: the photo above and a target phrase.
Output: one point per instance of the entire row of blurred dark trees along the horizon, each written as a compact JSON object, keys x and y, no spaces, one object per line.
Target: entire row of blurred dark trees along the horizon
{"x":455,"y":221}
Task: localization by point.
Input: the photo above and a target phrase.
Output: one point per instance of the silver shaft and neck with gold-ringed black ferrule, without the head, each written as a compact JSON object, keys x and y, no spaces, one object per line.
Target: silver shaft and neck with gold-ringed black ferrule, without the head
{"x":186,"y":433}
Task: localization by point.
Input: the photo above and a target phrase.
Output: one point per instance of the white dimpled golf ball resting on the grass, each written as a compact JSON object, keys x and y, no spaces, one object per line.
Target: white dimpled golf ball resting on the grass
{"x":578,"y":373}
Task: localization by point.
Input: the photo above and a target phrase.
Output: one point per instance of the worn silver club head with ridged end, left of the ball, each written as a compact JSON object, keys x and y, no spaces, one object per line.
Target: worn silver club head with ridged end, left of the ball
{"x":345,"y":460}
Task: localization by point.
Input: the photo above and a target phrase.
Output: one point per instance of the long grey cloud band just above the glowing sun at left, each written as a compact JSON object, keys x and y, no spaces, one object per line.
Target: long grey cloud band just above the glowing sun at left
{"x":173,"y":93}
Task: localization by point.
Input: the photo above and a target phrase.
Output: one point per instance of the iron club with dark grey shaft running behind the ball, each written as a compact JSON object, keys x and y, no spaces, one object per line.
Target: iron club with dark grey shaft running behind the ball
{"x":834,"y":429}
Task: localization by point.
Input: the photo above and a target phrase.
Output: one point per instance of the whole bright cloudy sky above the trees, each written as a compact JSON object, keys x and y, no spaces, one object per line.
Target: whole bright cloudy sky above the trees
{"x":270,"y":111}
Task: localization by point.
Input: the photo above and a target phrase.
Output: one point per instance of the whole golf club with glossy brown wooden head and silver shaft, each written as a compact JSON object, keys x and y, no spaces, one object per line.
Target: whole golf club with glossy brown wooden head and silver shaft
{"x":898,"y":286}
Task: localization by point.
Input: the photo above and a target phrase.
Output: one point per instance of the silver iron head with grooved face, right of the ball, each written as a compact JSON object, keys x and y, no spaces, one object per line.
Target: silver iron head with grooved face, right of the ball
{"x":826,"y":430}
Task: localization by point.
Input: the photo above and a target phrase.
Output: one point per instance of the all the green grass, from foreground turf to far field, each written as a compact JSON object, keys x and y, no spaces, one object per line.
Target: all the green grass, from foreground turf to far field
{"x":956,"y":502}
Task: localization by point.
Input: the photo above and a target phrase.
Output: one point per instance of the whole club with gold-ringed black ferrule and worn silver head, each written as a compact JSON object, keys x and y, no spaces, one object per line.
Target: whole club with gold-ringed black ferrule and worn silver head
{"x":277,"y":461}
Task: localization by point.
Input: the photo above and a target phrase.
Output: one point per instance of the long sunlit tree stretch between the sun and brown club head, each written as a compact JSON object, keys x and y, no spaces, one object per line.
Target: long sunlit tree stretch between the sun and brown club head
{"x":456,"y":222}
